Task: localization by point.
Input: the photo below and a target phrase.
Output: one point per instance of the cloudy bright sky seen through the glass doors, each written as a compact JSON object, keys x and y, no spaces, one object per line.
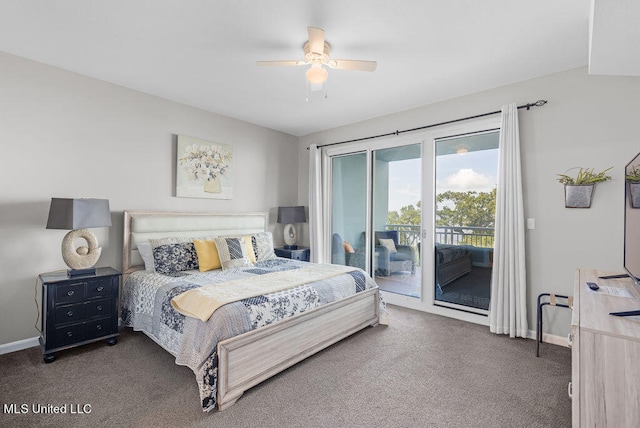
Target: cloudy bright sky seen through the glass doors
{"x":458,"y":172}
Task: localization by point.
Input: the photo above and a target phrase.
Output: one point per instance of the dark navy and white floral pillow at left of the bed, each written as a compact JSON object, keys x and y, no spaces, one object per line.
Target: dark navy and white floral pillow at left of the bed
{"x":171,"y":255}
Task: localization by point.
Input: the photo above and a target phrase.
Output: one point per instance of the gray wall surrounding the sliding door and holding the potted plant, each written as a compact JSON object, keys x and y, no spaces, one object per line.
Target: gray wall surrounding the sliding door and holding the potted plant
{"x":590,"y":121}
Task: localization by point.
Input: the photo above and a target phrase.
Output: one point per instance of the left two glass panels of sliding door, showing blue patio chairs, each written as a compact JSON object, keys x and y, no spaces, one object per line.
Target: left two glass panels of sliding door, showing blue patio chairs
{"x":376,"y":215}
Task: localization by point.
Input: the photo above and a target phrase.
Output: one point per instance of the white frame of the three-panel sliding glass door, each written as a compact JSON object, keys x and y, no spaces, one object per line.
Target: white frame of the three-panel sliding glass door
{"x":427,"y":138}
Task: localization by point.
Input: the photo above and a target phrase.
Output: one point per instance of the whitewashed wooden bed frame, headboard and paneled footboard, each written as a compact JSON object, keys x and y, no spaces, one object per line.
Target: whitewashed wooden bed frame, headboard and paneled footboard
{"x":248,"y":359}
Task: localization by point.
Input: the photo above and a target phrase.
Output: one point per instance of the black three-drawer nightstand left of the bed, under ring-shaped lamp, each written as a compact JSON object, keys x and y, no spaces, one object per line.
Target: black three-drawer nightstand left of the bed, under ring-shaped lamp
{"x":78,"y":310}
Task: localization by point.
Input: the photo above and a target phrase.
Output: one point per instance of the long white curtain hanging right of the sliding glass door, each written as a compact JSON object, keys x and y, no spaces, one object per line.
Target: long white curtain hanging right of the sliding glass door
{"x":508,"y":312}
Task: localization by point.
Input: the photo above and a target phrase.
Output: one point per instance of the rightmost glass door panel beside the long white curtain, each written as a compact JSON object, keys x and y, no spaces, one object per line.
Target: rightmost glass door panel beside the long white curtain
{"x":465,"y":201}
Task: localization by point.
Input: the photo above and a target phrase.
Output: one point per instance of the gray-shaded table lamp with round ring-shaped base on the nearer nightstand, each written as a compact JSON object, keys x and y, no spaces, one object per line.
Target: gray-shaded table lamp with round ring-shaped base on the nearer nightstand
{"x":77,"y":215}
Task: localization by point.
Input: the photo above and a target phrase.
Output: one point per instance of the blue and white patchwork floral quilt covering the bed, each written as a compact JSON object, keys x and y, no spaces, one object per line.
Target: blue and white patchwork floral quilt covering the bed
{"x":146,"y":306}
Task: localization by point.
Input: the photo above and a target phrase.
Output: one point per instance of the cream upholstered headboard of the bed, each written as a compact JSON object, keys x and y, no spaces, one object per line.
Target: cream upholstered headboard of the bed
{"x":140,"y":226}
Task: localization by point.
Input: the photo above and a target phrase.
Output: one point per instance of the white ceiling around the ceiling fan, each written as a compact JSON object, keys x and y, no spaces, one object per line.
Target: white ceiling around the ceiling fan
{"x":202,"y":52}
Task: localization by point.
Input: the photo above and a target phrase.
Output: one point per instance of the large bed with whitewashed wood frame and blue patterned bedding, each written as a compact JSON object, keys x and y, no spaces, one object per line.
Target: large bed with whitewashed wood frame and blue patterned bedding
{"x":242,"y":342}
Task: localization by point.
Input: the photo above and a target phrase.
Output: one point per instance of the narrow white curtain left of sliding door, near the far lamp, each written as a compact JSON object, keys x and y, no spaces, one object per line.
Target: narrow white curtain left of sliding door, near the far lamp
{"x":316,"y":207}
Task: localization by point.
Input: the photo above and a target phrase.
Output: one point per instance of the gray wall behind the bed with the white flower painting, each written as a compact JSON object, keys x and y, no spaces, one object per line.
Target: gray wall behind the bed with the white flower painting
{"x":66,"y":135}
